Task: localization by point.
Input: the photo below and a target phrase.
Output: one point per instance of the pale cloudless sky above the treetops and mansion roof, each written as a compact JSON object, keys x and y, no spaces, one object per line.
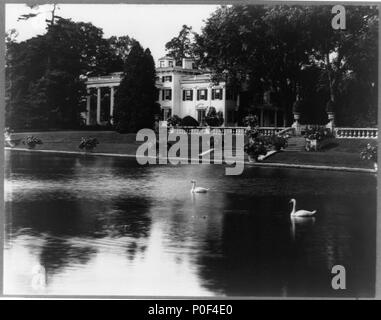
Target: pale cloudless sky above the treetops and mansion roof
{"x":151,"y":25}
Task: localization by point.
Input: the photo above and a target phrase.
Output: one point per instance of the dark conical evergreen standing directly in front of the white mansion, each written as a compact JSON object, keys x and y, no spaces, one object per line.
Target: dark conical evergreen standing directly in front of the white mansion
{"x":135,"y":100}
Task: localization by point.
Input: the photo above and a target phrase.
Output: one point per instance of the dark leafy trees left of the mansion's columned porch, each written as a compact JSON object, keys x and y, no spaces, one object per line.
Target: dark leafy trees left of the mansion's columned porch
{"x":45,"y":75}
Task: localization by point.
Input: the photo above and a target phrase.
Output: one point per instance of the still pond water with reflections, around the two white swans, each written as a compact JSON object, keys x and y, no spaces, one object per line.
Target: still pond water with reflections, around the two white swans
{"x":97,"y":225}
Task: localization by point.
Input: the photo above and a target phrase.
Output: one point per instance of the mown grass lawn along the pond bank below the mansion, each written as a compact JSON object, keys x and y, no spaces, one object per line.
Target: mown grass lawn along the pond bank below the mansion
{"x":338,"y":152}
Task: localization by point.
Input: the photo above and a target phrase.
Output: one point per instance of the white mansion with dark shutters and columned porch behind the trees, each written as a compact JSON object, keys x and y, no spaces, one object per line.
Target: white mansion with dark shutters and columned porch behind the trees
{"x":183,"y":91}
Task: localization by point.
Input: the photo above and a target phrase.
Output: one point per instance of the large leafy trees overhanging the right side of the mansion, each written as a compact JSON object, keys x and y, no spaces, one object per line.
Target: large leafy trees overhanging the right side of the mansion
{"x":279,"y":48}
